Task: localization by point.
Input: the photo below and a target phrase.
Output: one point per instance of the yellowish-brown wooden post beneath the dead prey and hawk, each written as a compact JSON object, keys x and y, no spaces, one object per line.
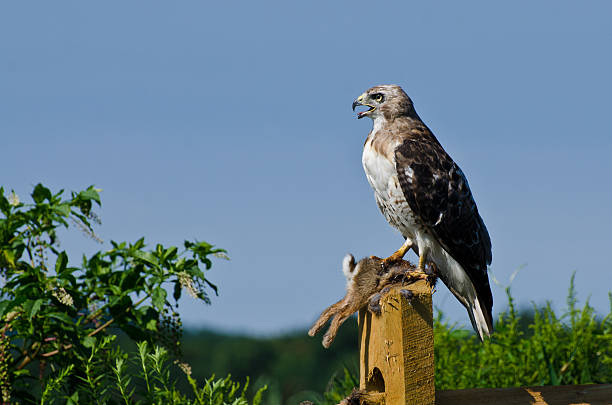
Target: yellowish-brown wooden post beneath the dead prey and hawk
{"x":396,"y":349}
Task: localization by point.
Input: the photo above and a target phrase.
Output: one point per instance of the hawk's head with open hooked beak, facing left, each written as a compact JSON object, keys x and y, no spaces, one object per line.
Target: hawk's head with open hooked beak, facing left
{"x":387,"y":101}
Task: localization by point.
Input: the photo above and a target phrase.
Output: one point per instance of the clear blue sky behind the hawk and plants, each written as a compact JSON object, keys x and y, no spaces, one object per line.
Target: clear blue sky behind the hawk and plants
{"x":231,"y":123}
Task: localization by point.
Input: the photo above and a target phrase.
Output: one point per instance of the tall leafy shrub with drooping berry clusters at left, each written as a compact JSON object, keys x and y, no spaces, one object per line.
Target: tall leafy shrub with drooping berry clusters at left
{"x":55,"y":316}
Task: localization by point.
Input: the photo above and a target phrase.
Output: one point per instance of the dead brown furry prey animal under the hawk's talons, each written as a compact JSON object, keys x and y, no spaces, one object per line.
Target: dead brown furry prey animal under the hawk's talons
{"x":367,"y":280}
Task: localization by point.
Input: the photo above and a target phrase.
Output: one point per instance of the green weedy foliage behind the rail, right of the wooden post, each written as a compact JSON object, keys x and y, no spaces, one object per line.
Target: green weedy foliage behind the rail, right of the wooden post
{"x":574,"y":348}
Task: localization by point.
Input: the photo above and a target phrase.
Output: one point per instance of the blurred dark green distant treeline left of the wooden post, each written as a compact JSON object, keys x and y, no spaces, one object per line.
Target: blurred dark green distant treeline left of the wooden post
{"x":294,"y":366}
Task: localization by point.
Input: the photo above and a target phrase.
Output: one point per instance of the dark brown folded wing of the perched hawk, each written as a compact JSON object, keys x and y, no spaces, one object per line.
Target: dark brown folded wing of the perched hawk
{"x":438,"y":192}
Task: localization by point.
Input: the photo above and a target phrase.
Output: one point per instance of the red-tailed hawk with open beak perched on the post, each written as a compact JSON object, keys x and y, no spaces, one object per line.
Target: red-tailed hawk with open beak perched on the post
{"x":424,"y":194}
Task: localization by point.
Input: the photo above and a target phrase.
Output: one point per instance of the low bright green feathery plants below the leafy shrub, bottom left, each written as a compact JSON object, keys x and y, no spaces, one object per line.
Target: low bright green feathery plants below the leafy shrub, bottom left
{"x":151,"y":384}
